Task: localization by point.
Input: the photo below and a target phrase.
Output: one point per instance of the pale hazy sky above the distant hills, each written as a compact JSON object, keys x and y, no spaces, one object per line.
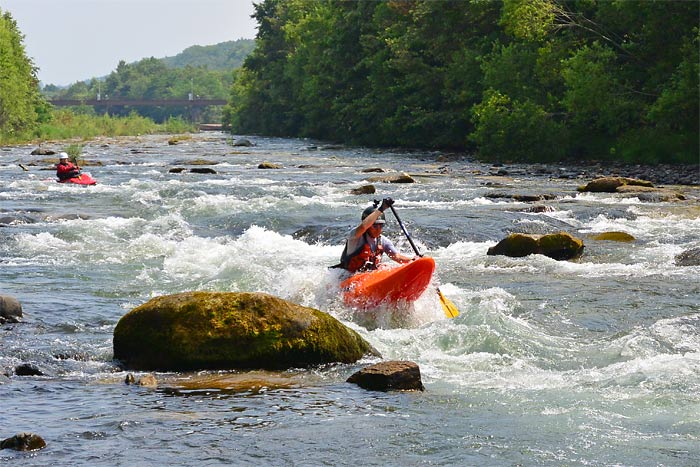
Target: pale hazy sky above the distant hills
{"x":73,"y":40}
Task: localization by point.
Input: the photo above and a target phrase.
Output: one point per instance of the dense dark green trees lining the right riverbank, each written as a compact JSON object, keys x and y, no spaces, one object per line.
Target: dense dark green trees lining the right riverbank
{"x":519,"y":80}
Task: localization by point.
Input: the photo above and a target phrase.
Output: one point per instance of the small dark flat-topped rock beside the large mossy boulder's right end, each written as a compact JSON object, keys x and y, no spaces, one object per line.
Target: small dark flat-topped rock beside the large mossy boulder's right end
{"x":388,"y":376}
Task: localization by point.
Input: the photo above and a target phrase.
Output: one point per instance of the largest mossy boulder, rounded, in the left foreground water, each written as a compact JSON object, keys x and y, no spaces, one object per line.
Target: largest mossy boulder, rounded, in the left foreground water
{"x":229,"y":330}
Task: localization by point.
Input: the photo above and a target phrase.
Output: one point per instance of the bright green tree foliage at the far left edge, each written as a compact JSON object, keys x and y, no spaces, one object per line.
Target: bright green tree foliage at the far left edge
{"x":21,"y":105}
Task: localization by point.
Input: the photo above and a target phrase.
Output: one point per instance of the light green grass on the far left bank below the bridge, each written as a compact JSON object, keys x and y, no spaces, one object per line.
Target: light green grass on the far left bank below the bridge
{"x":65,"y":124}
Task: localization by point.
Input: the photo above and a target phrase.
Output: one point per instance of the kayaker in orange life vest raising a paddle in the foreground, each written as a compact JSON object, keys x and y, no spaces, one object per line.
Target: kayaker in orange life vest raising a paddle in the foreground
{"x":366,"y":244}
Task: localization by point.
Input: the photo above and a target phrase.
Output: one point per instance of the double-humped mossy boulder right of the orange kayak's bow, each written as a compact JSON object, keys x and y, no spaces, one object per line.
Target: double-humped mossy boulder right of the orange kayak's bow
{"x":559,"y":246}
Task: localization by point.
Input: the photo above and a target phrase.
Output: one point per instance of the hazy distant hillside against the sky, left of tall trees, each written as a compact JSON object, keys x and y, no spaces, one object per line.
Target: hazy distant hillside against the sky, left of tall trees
{"x":223,"y":56}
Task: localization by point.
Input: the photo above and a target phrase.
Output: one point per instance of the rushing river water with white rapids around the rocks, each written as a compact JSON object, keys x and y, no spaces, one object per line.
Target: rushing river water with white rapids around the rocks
{"x":587,"y":362}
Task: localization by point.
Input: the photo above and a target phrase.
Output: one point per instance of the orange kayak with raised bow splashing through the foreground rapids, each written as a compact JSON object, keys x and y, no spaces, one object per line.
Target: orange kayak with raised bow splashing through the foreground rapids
{"x":388,"y":285}
